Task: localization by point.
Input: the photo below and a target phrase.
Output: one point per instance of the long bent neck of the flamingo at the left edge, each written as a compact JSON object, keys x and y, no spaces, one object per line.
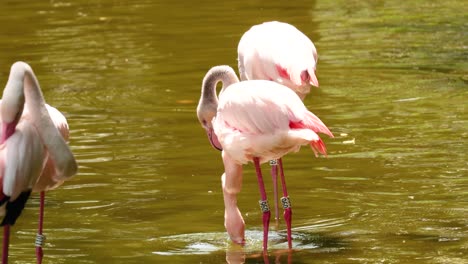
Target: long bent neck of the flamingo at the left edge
{"x":56,"y":146}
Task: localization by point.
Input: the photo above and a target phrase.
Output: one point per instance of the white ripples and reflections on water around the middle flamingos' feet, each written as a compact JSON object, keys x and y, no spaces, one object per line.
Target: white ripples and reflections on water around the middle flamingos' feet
{"x":209,"y":243}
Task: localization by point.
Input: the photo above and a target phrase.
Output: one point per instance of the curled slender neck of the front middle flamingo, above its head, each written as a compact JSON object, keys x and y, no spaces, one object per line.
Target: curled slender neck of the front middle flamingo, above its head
{"x":224,"y":74}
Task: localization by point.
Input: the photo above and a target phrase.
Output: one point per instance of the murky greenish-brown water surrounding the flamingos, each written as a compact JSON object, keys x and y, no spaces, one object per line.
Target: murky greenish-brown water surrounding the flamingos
{"x":393,"y":77}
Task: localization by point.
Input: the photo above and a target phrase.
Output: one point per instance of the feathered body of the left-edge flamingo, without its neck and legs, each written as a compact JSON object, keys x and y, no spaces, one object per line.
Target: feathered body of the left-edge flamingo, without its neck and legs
{"x":25,"y":164}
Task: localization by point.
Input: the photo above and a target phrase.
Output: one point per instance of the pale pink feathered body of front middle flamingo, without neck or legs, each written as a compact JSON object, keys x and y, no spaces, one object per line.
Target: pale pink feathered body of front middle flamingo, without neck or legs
{"x":266,"y":120}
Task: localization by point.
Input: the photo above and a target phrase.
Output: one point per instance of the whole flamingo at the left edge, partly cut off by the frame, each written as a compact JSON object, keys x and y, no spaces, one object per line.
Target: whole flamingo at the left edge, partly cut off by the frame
{"x":33,"y":152}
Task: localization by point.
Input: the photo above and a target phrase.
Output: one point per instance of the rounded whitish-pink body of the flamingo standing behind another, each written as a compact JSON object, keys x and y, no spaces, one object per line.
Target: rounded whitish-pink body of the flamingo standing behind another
{"x":279,"y":52}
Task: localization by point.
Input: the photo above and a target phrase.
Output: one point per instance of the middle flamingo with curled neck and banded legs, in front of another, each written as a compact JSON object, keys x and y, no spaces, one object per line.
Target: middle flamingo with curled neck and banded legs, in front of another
{"x":254,"y":121}
